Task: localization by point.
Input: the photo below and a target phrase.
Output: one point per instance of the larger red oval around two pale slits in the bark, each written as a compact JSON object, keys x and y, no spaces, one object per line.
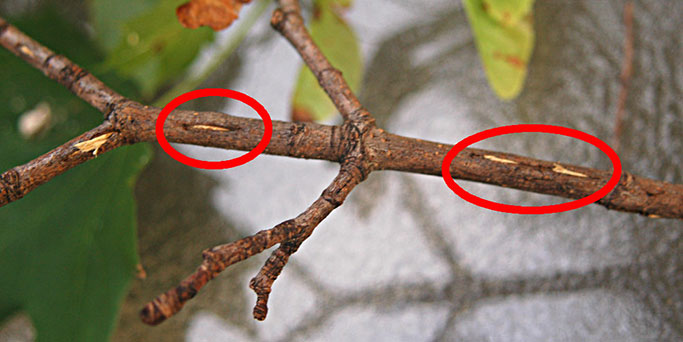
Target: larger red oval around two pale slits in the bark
{"x":544,"y":209}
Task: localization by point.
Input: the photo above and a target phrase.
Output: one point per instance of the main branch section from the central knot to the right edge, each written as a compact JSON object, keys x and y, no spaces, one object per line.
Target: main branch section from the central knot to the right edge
{"x":634,"y":194}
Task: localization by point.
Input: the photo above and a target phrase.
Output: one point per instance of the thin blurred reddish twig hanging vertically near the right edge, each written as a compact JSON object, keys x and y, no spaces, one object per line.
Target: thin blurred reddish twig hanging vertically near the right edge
{"x":626,"y":71}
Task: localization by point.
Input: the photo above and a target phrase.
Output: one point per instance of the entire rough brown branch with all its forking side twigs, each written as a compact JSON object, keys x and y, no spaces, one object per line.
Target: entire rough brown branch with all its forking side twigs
{"x":358,"y":145}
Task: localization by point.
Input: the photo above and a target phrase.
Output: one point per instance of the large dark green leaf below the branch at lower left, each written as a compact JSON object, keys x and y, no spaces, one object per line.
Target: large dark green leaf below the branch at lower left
{"x":68,"y":250}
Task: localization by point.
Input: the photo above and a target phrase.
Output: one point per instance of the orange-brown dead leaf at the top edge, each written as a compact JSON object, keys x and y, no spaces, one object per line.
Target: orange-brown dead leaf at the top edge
{"x":217,"y":14}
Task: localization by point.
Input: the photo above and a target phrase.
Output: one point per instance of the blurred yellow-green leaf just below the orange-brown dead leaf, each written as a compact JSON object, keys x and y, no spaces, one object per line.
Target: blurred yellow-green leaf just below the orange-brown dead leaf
{"x":154,"y":48}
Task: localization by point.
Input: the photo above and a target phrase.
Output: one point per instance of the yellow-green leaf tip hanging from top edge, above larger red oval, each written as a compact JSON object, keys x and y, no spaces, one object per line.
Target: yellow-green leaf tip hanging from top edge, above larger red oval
{"x":504,"y":35}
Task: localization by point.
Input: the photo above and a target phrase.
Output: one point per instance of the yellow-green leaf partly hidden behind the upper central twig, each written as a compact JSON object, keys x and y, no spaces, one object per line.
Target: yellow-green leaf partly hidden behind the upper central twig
{"x":338,"y":42}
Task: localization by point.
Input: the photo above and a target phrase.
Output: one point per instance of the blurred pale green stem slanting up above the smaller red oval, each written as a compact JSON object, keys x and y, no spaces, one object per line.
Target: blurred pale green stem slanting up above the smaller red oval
{"x":193,"y":81}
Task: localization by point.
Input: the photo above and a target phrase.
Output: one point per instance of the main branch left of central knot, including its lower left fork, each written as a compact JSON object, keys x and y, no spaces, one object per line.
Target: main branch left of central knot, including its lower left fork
{"x":132,"y":123}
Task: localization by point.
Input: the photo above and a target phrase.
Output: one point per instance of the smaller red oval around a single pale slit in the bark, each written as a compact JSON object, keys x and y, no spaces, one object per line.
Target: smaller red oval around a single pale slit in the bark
{"x":225,"y":164}
